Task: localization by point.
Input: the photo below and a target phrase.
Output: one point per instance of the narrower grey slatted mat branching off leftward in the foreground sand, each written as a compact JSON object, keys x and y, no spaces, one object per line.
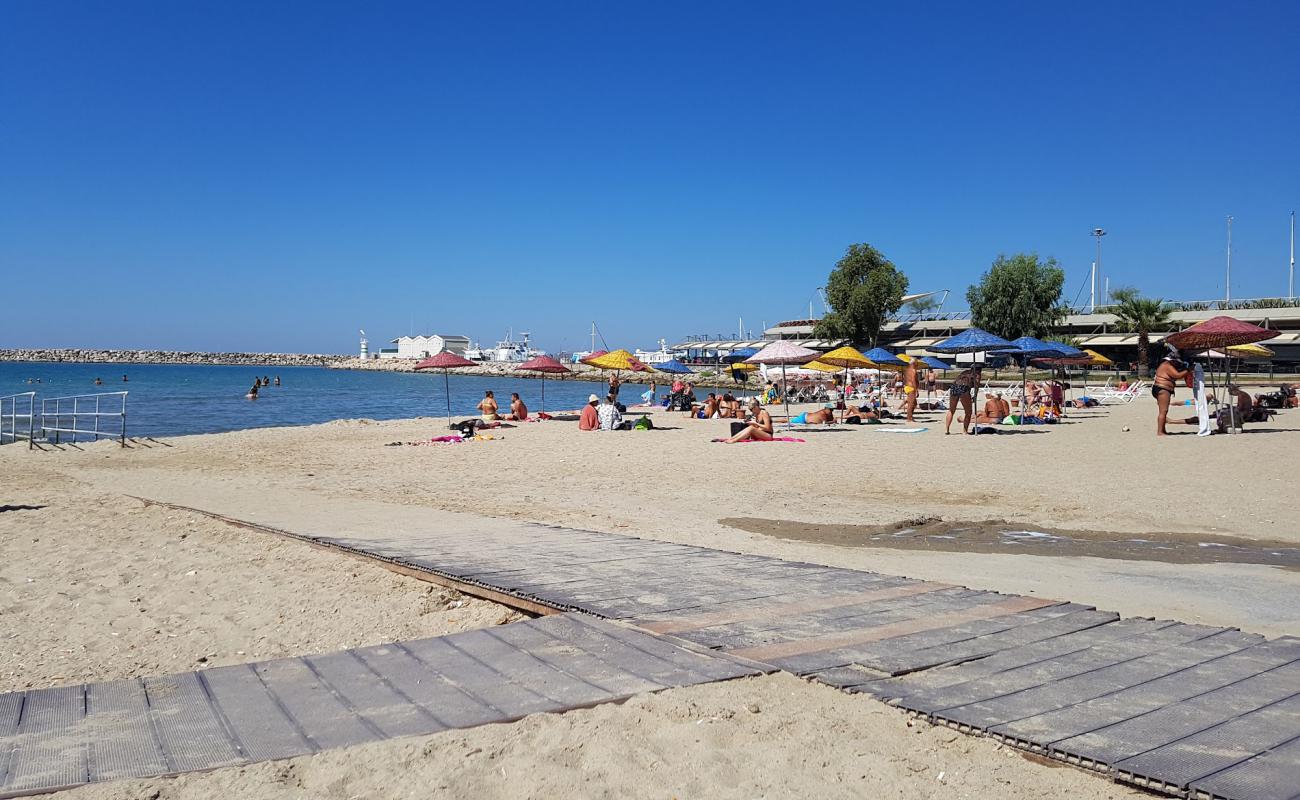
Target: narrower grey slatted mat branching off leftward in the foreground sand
{"x":66,"y":737}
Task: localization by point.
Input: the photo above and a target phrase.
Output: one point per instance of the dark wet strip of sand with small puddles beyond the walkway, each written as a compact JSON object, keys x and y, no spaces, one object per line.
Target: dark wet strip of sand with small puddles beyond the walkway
{"x":1002,"y":537}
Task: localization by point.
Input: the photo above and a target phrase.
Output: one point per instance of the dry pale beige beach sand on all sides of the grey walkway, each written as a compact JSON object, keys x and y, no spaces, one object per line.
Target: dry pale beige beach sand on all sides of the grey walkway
{"x":99,"y":586}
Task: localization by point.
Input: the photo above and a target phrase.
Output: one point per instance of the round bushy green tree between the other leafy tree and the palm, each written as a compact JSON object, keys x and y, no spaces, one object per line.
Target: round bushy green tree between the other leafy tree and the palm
{"x":1020,"y":296}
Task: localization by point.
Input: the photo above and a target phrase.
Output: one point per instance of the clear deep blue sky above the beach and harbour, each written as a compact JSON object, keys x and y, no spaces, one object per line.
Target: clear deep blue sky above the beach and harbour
{"x":274,"y":176}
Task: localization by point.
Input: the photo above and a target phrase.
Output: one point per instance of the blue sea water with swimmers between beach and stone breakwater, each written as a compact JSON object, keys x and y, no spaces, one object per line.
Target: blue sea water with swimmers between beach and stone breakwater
{"x":179,"y":400}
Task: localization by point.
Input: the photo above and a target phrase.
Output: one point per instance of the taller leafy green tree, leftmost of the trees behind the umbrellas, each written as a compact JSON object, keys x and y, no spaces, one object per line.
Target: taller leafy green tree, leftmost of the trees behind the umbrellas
{"x":864,"y":289}
